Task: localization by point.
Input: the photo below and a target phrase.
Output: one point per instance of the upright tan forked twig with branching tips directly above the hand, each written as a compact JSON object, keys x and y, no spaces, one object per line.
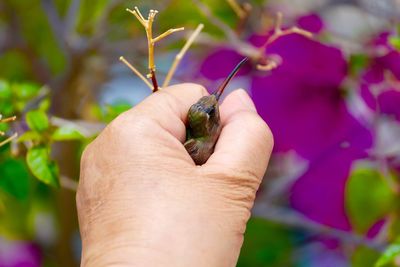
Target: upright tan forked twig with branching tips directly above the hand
{"x":148,"y":26}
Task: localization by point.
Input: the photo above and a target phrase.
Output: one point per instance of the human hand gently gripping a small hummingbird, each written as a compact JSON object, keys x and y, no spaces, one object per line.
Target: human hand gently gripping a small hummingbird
{"x":143,"y":202}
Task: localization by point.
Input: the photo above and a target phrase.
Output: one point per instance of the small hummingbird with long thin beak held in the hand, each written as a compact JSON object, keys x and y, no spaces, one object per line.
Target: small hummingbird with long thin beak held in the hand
{"x":204,"y":122}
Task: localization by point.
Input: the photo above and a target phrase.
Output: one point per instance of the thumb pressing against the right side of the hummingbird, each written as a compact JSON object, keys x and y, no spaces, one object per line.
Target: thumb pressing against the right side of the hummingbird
{"x":245,"y":142}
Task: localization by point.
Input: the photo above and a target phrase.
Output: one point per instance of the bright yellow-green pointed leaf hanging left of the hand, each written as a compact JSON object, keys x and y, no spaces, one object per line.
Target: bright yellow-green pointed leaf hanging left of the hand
{"x":41,"y":165}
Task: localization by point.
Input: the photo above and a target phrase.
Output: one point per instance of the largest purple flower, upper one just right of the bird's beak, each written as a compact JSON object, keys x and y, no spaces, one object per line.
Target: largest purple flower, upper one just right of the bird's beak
{"x":302,"y":102}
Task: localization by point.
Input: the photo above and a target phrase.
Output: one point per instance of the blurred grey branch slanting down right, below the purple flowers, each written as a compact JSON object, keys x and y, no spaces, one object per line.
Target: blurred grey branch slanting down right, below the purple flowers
{"x":297,"y":220}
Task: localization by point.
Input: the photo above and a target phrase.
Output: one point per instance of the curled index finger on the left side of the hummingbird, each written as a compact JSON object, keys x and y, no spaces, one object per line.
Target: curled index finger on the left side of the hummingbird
{"x":169,"y":107}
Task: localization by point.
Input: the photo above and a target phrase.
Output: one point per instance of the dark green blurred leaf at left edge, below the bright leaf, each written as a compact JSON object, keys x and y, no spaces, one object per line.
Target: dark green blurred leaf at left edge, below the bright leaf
{"x":14,"y":178}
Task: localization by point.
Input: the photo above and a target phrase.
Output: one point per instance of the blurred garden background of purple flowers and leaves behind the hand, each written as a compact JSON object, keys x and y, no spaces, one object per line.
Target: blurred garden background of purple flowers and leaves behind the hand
{"x":331,"y":194}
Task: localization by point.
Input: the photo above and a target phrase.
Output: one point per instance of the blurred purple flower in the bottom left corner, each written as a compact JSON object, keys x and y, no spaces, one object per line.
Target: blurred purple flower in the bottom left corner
{"x":19,"y":254}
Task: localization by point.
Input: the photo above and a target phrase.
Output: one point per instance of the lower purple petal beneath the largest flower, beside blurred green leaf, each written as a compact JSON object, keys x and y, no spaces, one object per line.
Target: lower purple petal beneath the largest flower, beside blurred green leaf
{"x":319,"y":193}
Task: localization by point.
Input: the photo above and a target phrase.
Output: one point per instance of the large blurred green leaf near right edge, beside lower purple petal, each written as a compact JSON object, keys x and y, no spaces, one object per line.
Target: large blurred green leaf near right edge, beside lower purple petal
{"x":368,"y":198}
